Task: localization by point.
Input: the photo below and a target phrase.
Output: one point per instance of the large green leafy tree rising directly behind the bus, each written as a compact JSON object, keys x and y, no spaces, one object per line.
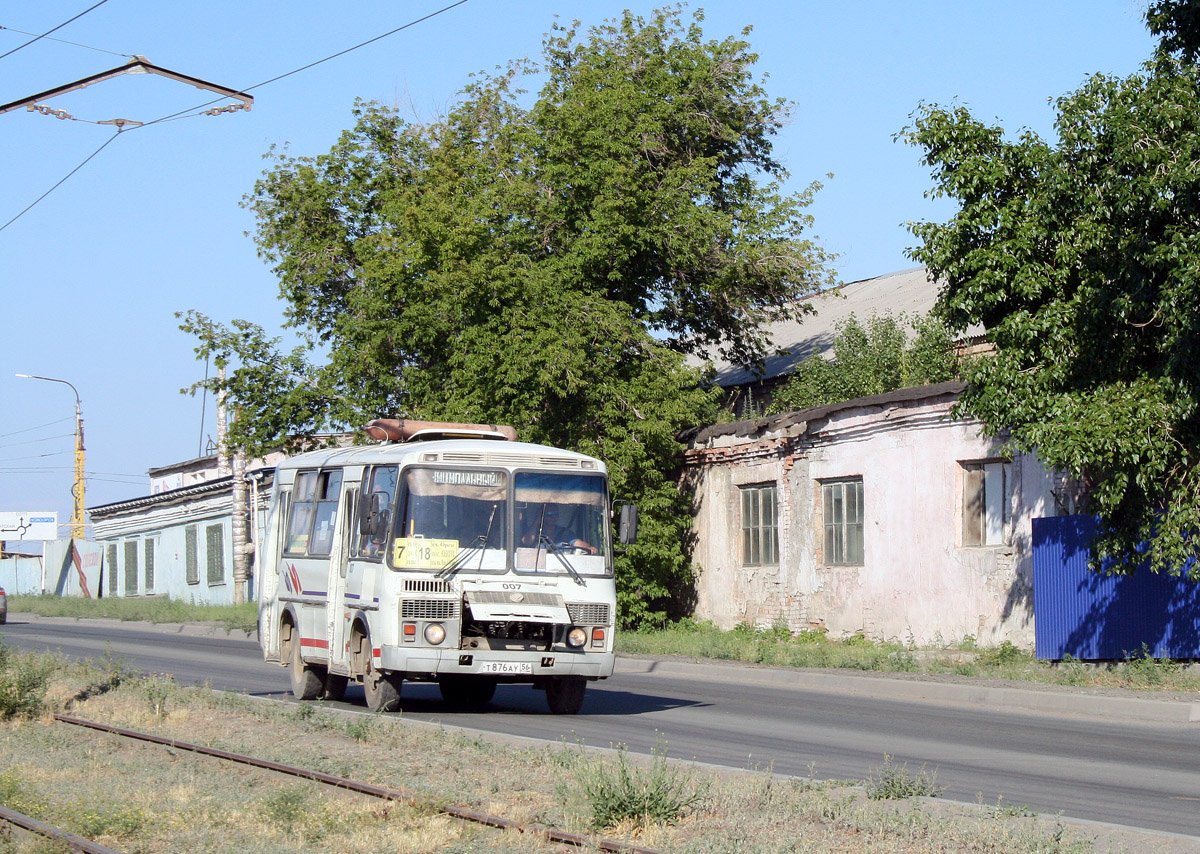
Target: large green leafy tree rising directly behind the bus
{"x":543,"y":264}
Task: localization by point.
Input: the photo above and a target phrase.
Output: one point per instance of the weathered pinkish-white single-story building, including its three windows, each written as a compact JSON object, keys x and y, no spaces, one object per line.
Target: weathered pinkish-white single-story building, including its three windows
{"x":883,"y":516}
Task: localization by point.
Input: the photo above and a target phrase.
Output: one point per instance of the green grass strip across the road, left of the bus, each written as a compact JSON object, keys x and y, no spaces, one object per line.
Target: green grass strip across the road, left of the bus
{"x":148,"y":610}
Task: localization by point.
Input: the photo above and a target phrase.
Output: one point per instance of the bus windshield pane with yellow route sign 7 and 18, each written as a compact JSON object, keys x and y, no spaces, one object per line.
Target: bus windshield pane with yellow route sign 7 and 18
{"x":451,"y":520}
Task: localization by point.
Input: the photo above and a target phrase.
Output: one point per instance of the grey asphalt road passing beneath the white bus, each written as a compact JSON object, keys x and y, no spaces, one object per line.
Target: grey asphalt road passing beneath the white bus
{"x":1133,"y":774}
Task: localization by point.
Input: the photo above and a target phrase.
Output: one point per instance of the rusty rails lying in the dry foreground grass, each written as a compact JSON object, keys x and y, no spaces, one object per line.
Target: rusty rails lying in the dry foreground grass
{"x":371,"y":790}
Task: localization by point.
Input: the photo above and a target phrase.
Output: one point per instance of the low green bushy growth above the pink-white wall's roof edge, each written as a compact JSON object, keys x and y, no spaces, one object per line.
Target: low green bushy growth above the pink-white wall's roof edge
{"x":871,"y":359}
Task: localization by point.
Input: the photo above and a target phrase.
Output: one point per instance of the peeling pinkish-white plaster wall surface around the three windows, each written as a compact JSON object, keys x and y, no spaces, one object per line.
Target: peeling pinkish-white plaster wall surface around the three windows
{"x":917,"y":581}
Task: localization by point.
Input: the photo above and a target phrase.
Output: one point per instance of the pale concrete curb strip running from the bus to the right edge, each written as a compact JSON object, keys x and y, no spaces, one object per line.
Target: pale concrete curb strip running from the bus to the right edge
{"x":989,"y":696}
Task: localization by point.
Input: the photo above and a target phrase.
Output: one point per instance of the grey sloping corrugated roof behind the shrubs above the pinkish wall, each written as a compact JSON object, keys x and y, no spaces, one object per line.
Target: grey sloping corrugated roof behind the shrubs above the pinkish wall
{"x":908,"y":292}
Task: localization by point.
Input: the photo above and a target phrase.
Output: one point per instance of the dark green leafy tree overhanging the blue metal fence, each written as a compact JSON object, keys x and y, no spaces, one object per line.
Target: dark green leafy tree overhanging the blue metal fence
{"x":1082,"y":260}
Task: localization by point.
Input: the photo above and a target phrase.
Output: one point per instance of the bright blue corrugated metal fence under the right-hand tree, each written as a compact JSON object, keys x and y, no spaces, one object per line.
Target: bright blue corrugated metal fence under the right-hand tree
{"x":1091,"y":616}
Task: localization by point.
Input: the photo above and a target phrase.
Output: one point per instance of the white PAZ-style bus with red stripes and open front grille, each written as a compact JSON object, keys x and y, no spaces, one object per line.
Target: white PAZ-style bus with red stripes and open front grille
{"x":449,"y":554}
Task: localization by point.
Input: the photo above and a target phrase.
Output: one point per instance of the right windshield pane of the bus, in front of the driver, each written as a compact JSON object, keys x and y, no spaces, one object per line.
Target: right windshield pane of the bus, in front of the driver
{"x":561,"y":524}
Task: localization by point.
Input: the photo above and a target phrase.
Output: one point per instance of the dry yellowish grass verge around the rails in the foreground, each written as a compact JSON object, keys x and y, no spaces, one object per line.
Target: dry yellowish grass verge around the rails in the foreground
{"x":139,"y":798}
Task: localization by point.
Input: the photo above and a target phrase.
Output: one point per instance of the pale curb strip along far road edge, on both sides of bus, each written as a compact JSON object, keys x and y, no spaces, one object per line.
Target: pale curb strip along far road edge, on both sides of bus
{"x":1055,"y":700}
